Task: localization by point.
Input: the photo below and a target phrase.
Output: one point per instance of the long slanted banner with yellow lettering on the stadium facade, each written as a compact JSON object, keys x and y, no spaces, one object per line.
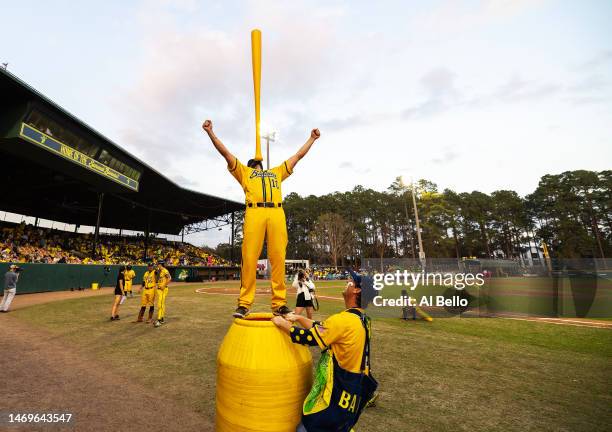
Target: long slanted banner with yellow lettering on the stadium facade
{"x":51,"y":144}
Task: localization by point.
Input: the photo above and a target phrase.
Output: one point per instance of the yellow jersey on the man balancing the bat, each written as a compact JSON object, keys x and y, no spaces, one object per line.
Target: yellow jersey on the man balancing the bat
{"x":260,"y":185}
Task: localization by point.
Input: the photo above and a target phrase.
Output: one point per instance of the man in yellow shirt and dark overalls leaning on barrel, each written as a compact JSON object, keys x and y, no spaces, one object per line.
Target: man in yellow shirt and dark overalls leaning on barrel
{"x":336,"y":399}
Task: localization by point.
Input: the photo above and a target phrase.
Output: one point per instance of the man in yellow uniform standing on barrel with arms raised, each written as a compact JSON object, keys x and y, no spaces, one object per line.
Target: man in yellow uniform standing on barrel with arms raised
{"x":264,"y":217}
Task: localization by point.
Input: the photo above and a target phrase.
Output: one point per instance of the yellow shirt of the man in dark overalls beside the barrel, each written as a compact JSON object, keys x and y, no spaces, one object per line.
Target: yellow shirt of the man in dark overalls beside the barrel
{"x":344,"y":334}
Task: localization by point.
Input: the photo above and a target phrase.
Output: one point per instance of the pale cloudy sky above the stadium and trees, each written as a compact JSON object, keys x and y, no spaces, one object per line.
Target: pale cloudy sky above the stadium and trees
{"x":471,"y":95}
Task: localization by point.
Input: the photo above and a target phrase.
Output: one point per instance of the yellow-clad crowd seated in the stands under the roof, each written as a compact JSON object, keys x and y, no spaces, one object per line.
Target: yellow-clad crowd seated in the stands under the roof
{"x":21,"y":243}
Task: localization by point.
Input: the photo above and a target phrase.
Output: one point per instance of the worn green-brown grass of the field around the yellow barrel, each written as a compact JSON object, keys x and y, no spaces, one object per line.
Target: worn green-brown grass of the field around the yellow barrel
{"x":453,"y":374}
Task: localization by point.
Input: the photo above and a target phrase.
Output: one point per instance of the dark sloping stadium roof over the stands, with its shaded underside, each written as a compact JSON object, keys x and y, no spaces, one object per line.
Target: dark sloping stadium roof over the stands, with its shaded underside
{"x":55,"y":167}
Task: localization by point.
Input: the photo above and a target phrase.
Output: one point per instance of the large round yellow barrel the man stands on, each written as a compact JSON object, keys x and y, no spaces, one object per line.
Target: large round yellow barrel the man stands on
{"x":262,"y":378}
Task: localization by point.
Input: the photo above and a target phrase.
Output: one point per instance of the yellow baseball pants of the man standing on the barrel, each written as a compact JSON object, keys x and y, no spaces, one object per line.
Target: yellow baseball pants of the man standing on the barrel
{"x":260,"y":223}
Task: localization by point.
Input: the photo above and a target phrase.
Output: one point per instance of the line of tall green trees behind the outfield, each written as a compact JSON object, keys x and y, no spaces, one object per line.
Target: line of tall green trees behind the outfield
{"x":570,"y":213}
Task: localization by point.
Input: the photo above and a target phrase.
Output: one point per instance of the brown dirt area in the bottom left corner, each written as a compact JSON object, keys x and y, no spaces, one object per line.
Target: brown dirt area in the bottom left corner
{"x":42,"y":374}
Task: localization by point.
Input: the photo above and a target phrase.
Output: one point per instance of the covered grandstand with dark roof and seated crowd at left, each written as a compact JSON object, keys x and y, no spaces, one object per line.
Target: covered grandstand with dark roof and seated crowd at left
{"x":58,"y":168}
